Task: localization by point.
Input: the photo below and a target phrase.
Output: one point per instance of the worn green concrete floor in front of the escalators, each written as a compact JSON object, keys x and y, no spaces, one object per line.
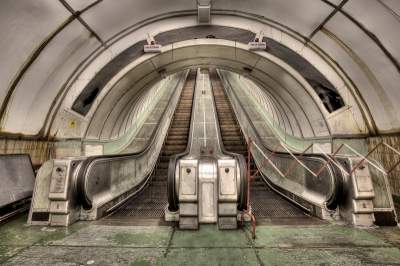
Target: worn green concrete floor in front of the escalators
{"x":93,"y":244}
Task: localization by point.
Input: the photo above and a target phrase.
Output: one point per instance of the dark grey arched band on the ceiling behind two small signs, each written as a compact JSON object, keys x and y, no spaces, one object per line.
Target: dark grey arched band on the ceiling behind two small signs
{"x":310,"y":73}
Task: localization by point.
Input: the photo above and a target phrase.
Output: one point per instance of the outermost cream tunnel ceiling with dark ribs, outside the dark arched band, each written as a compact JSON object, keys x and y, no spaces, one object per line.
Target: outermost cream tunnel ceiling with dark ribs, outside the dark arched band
{"x":51,"y":48}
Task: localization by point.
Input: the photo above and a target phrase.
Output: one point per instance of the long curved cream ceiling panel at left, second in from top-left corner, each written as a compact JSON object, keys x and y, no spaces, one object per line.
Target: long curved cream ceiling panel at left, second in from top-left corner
{"x":35,"y":93}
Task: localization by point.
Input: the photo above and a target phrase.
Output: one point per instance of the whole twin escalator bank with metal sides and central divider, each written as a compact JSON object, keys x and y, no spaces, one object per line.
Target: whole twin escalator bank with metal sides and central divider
{"x":136,"y":188}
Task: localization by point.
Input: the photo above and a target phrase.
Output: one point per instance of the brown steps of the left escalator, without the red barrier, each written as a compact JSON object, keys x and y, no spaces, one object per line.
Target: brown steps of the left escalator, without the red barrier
{"x":148,"y":206}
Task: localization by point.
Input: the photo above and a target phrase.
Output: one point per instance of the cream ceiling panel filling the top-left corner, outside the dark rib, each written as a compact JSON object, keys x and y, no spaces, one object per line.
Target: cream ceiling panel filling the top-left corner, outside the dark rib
{"x":23,"y":26}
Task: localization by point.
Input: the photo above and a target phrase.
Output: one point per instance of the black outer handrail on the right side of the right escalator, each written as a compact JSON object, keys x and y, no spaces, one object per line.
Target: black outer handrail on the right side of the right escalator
{"x":334,"y":196}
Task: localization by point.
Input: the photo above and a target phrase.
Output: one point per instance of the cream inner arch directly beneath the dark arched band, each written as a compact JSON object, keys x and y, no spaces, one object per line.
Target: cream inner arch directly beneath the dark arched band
{"x":222,"y":54}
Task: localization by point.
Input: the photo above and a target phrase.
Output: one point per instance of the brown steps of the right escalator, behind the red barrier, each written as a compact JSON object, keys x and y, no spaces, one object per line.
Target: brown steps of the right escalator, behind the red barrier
{"x":265,"y":203}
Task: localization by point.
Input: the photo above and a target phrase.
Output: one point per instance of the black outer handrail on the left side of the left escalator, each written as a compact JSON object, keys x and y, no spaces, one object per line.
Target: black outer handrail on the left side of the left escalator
{"x":89,"y":161}
